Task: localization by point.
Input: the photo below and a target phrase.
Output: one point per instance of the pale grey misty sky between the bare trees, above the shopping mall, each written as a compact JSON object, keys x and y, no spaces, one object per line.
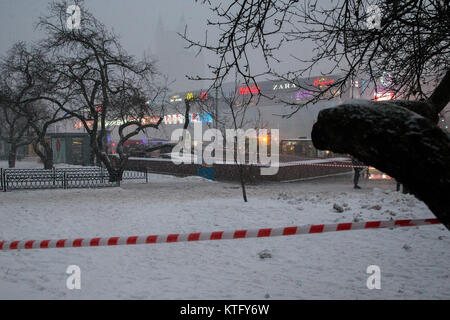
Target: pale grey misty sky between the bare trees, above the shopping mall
{"x":144,"y":27}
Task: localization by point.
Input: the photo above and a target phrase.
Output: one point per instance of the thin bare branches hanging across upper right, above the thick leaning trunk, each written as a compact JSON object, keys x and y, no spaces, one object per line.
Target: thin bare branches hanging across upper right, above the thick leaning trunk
{"x":410,"y":41}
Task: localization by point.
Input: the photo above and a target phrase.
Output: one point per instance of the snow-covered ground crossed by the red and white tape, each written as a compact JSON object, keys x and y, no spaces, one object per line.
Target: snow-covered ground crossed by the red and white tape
{"x":413,"y":261}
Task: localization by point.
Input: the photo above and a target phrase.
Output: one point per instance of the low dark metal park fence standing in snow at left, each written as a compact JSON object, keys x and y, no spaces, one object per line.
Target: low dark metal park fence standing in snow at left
{"x":65,"y":178}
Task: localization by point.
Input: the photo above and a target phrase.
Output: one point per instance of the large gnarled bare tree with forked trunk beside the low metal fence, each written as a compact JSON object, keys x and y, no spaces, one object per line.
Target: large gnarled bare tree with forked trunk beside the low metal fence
{"x":105,"y":83}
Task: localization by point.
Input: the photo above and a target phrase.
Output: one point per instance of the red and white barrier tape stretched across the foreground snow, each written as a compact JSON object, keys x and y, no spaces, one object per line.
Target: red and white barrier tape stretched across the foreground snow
{"x":217,"y":235}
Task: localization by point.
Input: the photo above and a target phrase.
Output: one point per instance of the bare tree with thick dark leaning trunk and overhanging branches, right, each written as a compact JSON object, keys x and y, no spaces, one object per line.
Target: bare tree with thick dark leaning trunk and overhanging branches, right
{"x":408,"y":39}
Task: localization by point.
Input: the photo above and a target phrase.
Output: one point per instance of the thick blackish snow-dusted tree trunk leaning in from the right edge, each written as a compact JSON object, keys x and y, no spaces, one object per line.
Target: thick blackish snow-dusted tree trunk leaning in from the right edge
{"x":395,"y":140}
